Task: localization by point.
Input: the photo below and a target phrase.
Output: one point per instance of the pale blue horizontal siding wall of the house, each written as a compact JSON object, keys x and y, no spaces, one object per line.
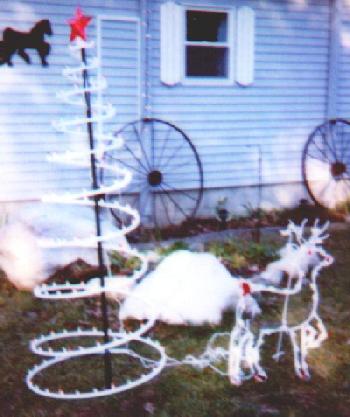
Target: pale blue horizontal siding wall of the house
{"x":230,"y":126}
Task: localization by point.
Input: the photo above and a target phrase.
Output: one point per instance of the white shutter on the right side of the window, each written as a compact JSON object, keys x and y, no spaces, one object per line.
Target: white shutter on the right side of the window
{"x":245,"y":46}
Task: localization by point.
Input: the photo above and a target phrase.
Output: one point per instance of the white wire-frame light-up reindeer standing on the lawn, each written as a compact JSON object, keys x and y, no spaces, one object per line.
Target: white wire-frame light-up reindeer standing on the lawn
{"x":245,"y":344}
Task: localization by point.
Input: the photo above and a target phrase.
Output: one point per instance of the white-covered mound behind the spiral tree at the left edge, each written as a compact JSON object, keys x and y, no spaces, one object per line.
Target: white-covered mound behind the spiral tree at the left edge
{"x":25,"y":262}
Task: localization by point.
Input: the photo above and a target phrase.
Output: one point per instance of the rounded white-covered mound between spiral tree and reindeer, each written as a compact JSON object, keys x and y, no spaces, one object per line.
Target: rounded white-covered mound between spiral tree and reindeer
{"x":185,"y":288}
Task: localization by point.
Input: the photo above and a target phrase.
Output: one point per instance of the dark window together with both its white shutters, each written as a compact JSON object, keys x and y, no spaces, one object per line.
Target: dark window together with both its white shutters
{"x":199,"y":46}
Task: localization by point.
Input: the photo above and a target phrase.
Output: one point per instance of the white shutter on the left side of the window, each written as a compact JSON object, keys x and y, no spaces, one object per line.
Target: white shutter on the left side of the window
{"x":171,"y":27}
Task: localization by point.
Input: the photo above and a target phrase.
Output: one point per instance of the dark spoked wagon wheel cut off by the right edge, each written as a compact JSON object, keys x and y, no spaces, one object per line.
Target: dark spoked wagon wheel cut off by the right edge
{"x":326,"y":164}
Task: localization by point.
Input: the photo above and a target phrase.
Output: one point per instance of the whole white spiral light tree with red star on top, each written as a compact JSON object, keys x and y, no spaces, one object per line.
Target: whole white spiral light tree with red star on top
{"x":114,"y":343}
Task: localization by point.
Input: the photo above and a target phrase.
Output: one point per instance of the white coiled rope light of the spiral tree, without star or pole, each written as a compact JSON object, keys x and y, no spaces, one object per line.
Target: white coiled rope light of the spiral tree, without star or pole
{"x":118,"y":341}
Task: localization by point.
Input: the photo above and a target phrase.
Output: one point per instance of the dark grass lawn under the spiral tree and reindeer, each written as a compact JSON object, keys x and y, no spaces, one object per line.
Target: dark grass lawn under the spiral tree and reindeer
{"x":182,"y":391}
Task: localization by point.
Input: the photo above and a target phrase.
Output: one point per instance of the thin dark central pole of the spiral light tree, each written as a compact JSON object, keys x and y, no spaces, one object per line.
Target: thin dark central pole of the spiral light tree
{"x":97,"y":198}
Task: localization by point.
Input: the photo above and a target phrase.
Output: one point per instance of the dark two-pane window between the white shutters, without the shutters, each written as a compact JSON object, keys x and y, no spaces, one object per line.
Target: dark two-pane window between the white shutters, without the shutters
{"x":207,"y":44}
